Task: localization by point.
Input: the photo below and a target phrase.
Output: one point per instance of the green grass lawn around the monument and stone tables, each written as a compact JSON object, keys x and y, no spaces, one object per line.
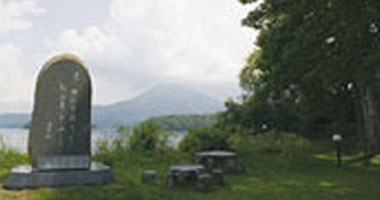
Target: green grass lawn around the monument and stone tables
{"x":268,"y":176}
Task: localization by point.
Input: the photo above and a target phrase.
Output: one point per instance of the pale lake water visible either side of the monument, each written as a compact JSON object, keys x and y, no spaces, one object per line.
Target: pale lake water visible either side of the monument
{"x":18,"y":138}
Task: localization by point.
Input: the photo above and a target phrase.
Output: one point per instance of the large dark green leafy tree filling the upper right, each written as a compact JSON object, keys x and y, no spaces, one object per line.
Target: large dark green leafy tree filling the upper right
{"x":323,"y":57}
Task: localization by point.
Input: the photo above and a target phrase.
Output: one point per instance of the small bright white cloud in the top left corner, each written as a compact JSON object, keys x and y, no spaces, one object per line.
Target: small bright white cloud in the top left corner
{"x":13,"y":15}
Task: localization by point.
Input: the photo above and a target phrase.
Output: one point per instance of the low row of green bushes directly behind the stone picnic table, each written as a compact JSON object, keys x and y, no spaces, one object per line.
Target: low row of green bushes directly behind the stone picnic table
{"x":240,"y":139}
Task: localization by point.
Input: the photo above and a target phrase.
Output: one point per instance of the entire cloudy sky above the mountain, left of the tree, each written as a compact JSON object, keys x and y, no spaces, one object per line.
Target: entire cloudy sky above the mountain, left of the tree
{"x":128,"y":45}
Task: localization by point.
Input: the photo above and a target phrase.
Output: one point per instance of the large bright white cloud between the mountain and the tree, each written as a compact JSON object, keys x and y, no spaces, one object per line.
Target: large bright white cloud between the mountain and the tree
{"x":195,"y":39}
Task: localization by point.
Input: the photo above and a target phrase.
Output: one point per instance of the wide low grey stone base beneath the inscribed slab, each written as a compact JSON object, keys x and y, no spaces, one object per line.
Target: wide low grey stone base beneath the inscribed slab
{"x":23,"y":177}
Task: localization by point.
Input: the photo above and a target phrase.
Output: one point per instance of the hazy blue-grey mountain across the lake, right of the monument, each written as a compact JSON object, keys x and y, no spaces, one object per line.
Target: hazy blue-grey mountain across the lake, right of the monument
{"x":160,"y":100}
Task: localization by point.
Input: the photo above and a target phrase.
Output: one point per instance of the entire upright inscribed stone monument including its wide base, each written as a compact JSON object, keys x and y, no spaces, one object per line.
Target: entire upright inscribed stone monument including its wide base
{"x":59,"y":142}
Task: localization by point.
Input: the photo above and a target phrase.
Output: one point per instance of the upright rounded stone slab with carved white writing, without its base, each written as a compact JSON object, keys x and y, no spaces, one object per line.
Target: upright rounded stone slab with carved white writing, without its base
{"x":61,"y":123}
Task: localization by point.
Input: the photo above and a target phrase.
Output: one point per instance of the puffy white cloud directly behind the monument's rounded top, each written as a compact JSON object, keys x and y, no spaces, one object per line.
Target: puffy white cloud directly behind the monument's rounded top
{"x":104,"y":54}
